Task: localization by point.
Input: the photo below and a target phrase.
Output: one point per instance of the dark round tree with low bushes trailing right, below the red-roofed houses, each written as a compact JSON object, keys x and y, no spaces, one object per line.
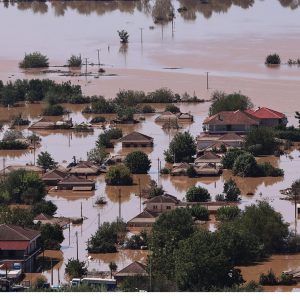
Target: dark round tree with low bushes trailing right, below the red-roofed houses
{"x":243,"y":163}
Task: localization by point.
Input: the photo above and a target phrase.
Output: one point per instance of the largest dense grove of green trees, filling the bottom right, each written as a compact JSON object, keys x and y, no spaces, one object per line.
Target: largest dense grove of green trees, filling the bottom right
{"x":241,"y":238}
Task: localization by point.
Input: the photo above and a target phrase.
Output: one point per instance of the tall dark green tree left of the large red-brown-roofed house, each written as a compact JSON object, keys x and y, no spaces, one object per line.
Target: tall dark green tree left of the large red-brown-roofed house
{"x":181,"y":148}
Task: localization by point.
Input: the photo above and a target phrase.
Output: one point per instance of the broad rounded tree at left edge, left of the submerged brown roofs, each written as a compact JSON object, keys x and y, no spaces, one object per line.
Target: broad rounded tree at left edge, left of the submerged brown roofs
{"x":22,"y":187}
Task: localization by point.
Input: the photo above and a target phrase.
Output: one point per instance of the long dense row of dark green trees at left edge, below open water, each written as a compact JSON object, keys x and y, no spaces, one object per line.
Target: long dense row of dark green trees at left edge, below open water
{"x":37,"y":90}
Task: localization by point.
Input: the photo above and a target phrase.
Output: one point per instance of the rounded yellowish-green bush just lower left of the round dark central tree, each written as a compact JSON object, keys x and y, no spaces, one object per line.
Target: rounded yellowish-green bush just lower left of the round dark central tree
{"x":118,"y":175}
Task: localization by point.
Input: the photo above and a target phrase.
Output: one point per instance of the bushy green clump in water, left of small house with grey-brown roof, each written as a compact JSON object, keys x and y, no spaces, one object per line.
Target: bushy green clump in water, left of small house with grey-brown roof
{"x":107,"y":237}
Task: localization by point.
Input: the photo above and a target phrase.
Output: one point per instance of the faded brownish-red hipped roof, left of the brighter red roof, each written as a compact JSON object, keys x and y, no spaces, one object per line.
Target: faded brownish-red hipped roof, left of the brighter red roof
{"x":231,"y":118}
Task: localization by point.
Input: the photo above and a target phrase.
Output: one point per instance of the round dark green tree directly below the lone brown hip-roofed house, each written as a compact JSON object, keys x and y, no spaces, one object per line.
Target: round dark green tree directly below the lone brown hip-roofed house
{"x":138,"y":162}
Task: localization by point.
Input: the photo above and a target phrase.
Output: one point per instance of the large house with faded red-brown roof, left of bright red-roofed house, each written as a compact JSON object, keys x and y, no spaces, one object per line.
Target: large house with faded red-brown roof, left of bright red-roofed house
{"x":230,"y":121}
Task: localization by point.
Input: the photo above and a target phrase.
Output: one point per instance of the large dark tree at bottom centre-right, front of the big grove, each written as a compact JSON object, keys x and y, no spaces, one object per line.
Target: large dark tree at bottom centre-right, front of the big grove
{"x":200,"y":264}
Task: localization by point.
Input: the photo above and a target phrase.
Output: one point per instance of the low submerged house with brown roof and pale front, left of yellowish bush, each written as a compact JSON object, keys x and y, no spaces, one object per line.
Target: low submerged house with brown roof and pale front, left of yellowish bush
{"x":76,"y":183}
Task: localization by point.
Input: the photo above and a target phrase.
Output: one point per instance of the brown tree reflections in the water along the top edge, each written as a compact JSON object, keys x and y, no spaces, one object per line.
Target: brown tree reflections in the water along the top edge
{"x":162,"y":11}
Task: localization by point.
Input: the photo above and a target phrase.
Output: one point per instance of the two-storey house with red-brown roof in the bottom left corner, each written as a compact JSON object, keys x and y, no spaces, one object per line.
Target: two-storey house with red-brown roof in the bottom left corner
{"x":19,"y":246}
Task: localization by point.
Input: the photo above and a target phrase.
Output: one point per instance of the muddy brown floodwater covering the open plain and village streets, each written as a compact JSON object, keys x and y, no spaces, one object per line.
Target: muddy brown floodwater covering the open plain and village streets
{"x":226,"y":39}
